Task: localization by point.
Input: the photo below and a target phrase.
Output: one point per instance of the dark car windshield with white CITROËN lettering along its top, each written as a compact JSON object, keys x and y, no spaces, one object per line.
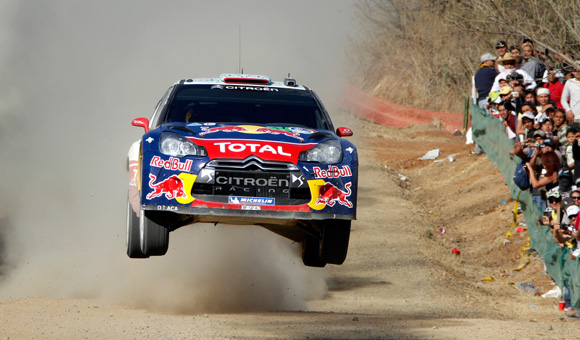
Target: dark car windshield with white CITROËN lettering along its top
{"x":240,"y":104}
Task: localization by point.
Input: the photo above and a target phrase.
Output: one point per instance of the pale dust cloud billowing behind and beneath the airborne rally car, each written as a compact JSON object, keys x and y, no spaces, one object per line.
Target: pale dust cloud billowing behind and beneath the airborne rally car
{"x":73,"y":75}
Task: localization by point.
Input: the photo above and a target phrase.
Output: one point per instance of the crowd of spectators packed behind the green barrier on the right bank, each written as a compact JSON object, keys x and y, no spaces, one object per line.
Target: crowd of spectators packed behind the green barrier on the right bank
{"x":537,"y":97}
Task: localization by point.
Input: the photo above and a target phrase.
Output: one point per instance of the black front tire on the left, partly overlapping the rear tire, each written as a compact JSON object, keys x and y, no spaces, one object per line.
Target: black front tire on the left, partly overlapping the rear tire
{"x":154,"y":237}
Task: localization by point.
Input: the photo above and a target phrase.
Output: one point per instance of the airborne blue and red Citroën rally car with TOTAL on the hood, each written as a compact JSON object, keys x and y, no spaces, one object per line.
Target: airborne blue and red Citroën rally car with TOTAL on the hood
{"x":242,"y":149}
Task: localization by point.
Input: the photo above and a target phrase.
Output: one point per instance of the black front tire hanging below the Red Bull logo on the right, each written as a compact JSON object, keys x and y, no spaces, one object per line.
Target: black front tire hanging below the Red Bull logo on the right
{"x":335,"y":237}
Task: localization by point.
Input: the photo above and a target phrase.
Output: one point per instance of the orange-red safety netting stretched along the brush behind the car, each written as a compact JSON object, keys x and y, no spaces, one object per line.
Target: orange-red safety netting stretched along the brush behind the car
{"x":386,"y":113}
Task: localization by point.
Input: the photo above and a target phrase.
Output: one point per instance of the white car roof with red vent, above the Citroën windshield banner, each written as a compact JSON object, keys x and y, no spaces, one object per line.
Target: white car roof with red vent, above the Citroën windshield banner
{"x":241,"y":80}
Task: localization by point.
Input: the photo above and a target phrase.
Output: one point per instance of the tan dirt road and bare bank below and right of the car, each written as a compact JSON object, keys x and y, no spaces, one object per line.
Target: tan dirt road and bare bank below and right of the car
{"x":399,"y":281}
